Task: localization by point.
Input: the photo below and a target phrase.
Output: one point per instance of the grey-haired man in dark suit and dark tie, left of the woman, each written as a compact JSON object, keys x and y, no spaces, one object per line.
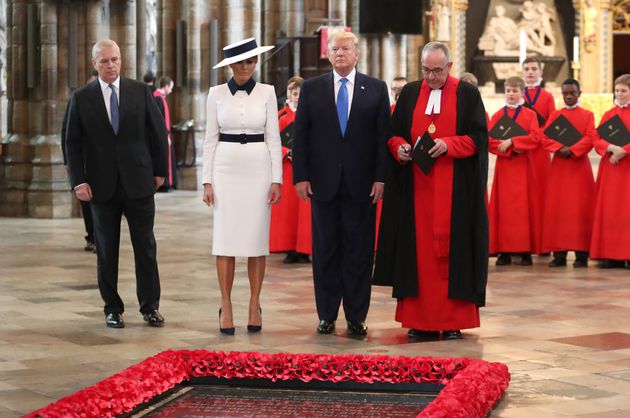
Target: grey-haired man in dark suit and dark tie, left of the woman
{"x":117,"y":157}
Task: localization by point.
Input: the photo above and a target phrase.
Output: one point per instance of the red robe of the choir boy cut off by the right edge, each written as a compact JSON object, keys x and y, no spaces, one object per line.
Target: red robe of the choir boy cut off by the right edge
{"x":611,"y":226}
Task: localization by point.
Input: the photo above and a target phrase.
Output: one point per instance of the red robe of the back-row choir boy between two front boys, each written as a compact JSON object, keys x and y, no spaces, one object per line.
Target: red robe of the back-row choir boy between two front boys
{"x":544,"y":104}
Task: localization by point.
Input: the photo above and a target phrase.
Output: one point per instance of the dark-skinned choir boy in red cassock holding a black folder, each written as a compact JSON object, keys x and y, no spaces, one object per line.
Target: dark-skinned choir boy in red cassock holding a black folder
{"x":570,"y":200}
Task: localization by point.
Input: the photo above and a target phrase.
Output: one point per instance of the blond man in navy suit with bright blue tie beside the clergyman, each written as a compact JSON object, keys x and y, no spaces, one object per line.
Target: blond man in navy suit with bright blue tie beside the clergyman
{"x":339,"y":159}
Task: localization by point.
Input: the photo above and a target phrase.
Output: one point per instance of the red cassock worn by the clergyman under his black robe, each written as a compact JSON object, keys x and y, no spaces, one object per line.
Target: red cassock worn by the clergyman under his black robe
{"x":431,"y":309}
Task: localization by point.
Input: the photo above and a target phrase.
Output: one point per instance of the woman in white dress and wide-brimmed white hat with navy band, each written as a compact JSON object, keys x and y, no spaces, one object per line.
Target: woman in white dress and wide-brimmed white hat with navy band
{"x":242,"y":173}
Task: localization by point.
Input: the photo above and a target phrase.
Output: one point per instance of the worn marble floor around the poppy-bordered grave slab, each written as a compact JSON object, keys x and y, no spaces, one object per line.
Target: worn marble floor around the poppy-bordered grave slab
{"x":564,"y":333}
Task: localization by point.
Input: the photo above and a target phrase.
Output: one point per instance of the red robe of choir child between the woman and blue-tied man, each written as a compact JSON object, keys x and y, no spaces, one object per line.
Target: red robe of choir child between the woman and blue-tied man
{"x":290,"y":228}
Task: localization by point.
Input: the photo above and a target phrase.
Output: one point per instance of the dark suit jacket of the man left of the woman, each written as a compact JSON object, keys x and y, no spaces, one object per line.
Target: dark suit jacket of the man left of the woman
{"x":100,"y":157}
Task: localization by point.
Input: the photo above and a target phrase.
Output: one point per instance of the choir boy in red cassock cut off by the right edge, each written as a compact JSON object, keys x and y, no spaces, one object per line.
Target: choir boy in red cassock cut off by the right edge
{"x":610,"y":242}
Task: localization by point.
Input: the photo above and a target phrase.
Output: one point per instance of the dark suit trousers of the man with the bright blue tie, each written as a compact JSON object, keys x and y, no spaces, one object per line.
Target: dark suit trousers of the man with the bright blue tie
{"x":343,"y":254}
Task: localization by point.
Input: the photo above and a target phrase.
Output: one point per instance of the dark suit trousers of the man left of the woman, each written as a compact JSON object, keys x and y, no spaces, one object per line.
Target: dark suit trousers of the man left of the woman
{"x":140,"y":214}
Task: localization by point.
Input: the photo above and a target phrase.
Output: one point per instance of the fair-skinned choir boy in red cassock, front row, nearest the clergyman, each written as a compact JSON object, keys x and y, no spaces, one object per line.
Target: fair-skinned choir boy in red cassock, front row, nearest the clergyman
{"x":514,"y":208}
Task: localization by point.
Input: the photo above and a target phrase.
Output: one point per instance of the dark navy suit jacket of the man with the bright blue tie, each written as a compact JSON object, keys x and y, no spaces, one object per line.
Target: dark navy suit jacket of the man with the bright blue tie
{"x":322,"y":156}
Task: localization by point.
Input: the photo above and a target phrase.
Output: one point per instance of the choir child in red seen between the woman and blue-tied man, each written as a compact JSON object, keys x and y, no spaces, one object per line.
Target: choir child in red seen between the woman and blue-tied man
{"x":290,"y":218}
